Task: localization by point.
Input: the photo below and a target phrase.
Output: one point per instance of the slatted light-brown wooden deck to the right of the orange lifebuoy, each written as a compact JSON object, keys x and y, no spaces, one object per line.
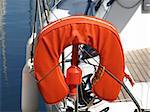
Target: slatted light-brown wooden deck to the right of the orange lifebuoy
{"x":138,"y":64}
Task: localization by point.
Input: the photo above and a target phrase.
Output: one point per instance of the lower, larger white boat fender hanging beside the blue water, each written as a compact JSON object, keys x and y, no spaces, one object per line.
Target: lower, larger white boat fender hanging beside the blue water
{"x":30,"y":93}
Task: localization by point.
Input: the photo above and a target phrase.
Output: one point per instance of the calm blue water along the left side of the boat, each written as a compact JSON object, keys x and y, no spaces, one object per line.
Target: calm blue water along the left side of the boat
{"x":15,"y":28}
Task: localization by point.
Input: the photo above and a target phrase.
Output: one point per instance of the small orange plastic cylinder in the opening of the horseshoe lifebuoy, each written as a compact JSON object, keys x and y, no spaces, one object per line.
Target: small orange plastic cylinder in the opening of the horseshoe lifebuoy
{"x":74,"y":75}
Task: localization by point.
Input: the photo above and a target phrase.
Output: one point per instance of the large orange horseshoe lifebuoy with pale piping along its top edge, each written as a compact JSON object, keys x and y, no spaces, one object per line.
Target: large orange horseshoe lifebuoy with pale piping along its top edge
{"x":55,"y":37}
